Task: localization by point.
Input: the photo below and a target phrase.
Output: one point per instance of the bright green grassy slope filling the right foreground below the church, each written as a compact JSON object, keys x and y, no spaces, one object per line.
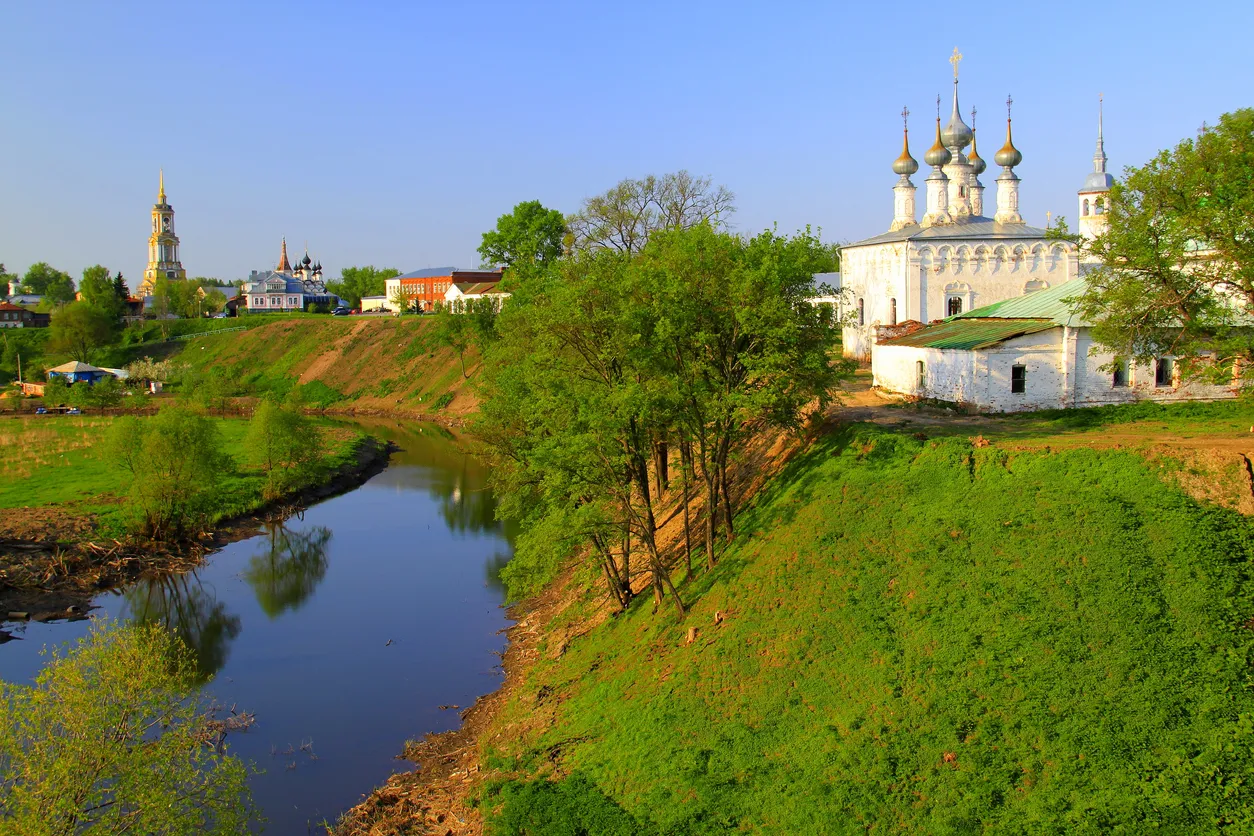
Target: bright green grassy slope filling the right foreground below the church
{"x":922,"y":637}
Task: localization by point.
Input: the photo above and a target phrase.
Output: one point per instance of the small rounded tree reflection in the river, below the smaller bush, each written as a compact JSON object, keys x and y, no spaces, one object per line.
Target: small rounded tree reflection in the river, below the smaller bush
{"x":290,"y":570}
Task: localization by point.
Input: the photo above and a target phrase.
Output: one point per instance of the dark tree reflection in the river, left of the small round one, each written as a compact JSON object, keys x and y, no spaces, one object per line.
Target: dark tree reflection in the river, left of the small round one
{"x":185,"y":606}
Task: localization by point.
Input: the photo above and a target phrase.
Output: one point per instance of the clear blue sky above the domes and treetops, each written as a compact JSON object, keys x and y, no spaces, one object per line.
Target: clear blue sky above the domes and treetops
{"x":396,"y":133}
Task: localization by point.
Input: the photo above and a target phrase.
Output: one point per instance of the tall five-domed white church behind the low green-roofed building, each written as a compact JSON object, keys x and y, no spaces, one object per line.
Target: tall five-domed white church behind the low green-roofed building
{"x":957,"y":258}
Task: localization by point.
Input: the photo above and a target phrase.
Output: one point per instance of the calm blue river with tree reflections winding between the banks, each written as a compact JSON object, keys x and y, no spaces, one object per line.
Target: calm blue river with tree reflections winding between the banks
{"x":295,"y":624}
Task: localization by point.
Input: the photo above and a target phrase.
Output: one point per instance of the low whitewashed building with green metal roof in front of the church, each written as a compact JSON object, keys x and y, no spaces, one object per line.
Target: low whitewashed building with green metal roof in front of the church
{"x":1030,"y":353}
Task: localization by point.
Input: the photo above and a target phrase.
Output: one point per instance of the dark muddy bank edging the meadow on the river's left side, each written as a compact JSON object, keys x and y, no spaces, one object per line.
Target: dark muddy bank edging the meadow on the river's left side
{"x":55,"y":558}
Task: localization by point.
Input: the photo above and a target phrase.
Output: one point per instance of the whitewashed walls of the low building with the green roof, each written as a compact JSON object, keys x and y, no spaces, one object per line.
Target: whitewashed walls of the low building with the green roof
{"x":1060,"y":373}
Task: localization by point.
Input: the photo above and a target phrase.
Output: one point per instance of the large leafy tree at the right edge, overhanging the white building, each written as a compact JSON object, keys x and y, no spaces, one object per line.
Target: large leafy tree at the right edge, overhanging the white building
{"x":1178,"y":260}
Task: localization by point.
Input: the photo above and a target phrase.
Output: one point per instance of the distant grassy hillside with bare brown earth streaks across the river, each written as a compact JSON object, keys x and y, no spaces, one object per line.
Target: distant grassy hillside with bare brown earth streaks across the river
{"x":366,"y":364}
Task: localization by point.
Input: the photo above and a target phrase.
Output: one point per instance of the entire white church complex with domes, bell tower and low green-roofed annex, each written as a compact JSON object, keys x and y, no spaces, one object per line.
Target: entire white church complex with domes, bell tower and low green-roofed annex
{"x":1004,"y":333}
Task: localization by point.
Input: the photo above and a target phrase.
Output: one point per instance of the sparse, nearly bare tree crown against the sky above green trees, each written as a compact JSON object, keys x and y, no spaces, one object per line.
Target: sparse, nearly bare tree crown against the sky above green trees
{"x":624,"y":219}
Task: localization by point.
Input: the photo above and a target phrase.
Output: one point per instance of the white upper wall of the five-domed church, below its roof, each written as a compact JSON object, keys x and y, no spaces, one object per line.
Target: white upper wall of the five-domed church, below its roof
{"x":924,"y":278}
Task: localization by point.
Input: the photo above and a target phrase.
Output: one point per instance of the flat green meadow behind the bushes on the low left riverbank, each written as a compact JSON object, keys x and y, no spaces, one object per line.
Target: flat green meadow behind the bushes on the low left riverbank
{"x":56,"y":463}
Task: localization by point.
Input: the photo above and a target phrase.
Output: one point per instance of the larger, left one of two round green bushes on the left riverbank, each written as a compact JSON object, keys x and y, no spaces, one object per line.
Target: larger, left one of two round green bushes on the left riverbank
{"x":176,"y":463}
